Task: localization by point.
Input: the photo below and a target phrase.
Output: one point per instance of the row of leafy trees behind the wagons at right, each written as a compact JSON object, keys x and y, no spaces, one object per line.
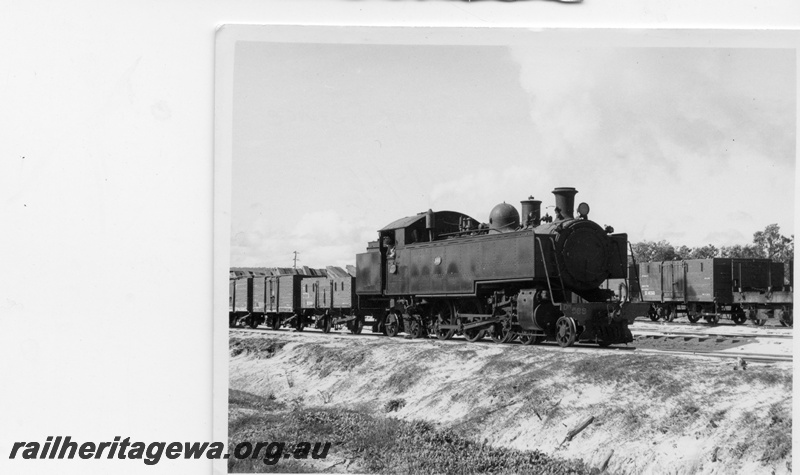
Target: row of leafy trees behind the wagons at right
{"x":769,"y":243}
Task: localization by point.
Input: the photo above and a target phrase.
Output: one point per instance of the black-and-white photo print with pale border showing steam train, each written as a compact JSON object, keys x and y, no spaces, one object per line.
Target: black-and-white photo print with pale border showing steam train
{"x":474,"y":250}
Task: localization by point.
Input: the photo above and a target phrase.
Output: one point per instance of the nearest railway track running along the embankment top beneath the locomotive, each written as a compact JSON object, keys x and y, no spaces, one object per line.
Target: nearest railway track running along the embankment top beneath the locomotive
{"x":550,"y":346}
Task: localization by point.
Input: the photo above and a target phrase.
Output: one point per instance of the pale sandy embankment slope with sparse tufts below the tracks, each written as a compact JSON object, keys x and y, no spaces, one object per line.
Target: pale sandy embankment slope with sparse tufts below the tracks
{"x":659,"y":414}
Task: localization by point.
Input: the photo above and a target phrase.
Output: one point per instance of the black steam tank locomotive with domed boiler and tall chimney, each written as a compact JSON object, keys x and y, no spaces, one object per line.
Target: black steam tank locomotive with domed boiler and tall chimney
{"x":530,"y":277}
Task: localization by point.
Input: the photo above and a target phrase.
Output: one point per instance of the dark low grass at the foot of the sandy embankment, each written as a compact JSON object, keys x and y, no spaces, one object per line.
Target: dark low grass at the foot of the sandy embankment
{"x":365,"y":443}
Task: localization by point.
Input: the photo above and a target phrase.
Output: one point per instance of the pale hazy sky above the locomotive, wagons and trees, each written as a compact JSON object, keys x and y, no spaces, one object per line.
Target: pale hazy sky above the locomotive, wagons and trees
{"x":333,"y":141}
